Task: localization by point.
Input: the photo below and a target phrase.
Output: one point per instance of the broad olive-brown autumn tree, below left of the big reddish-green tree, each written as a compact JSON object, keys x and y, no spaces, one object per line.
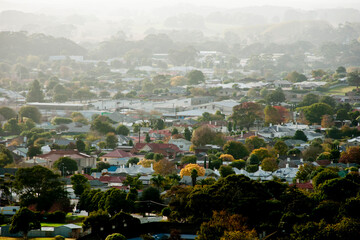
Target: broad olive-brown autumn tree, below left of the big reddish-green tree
{"x":205,"y":135}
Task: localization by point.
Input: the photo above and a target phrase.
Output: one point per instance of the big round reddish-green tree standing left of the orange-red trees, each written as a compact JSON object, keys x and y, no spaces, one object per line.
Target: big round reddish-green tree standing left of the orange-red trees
{"x":246,"y":113}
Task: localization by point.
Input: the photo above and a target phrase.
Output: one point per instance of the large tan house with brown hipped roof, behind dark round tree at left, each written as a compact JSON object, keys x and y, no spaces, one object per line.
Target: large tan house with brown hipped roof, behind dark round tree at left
{"x":83,"y":160}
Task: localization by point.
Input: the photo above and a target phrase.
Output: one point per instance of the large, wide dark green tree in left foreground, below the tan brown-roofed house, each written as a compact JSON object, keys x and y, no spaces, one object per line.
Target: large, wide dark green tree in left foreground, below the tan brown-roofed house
{"x":39,"y":185}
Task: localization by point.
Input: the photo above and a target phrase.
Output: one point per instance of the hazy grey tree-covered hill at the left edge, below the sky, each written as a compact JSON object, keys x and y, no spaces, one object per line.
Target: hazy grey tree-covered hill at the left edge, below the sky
{"x":18,"y":44}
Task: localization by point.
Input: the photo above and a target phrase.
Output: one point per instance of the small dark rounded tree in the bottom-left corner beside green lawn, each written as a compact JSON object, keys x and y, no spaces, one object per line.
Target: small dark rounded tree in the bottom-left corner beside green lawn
{"x":24,"y":221}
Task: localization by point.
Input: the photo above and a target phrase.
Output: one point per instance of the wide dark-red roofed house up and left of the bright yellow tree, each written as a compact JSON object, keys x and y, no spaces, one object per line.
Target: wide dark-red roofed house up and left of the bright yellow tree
{"x":168,"y":150}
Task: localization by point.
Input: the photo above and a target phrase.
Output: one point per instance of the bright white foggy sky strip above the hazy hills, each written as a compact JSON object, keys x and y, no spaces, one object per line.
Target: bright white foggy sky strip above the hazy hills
{"x":109,"y":7}
